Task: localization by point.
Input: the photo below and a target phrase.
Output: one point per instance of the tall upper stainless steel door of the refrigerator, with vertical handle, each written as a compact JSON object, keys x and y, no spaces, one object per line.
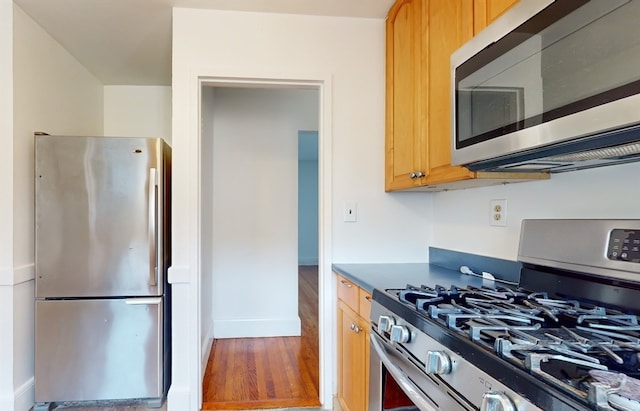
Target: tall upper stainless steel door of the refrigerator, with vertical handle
{"x":99,"y":216}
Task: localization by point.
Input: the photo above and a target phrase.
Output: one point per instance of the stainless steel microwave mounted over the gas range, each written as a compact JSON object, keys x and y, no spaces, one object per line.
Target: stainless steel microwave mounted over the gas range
{"x":549,"y":86}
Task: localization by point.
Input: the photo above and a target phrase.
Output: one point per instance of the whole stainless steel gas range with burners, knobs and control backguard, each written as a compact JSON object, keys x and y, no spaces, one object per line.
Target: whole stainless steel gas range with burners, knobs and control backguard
{"x":565,"y":338}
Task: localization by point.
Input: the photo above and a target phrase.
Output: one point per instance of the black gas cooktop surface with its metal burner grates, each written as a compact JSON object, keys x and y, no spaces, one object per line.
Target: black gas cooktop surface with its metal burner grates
{"x":561,"y":341}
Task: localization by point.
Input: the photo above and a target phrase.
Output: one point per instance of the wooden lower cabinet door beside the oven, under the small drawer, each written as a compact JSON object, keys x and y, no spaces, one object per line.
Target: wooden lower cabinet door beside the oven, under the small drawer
{"x":351,"y":359}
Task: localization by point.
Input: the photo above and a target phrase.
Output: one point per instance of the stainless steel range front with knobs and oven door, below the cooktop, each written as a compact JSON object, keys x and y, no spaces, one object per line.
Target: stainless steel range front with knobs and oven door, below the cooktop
{"x":409,"y":371}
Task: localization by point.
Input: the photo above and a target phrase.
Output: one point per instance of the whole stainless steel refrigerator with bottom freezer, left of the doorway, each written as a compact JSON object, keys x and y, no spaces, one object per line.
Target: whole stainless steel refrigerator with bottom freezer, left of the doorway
{"x":102,"y":302}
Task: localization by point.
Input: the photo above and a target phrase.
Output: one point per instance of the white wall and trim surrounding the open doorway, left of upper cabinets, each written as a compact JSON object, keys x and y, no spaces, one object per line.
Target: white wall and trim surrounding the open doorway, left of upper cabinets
{"x":348,"y":56}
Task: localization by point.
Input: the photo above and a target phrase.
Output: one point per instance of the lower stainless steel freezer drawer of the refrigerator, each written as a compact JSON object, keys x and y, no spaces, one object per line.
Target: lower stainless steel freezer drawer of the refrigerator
{"x":91,"y":350}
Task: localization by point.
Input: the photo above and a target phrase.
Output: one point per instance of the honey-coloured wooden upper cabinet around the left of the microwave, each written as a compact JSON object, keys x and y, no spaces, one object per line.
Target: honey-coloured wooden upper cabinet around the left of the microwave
{"x":421,"y":35}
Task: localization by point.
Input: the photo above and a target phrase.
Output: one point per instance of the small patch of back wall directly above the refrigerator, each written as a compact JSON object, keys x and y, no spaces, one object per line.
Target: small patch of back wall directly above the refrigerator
{"x":137,"y":111}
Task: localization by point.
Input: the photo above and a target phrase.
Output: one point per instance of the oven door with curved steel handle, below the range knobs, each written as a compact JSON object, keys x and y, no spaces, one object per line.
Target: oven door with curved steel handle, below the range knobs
{"x":397,"y":383}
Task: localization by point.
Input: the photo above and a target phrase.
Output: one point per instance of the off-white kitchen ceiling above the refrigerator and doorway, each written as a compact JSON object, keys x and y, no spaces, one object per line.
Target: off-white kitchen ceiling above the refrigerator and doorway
{"x":128,"y":42}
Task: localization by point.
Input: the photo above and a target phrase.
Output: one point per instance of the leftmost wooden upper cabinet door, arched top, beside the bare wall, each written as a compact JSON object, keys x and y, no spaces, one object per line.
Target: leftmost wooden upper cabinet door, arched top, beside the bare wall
{"x":405,"y":94}
